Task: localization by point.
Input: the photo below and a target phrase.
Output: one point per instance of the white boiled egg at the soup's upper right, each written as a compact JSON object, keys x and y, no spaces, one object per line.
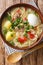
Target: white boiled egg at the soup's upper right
{"x":33,"y":19}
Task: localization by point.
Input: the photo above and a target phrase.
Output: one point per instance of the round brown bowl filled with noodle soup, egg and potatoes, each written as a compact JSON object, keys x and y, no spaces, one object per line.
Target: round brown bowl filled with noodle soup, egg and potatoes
{"x":21,"y":26}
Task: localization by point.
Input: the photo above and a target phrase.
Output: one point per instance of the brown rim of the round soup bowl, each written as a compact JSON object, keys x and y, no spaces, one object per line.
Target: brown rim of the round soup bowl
{"x":20,"y":5}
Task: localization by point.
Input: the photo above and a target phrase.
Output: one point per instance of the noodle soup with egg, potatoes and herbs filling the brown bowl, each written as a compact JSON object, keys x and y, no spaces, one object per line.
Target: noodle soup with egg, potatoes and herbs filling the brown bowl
{"x":21,"y":27}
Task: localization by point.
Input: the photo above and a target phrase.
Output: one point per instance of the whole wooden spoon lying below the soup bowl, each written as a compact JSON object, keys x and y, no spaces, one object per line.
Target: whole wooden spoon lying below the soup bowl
{"x":16,"y":56}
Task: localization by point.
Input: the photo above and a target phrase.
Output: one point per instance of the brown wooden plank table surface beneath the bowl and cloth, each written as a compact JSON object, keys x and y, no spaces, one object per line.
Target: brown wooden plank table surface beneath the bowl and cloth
{"x":35,"y":58}
